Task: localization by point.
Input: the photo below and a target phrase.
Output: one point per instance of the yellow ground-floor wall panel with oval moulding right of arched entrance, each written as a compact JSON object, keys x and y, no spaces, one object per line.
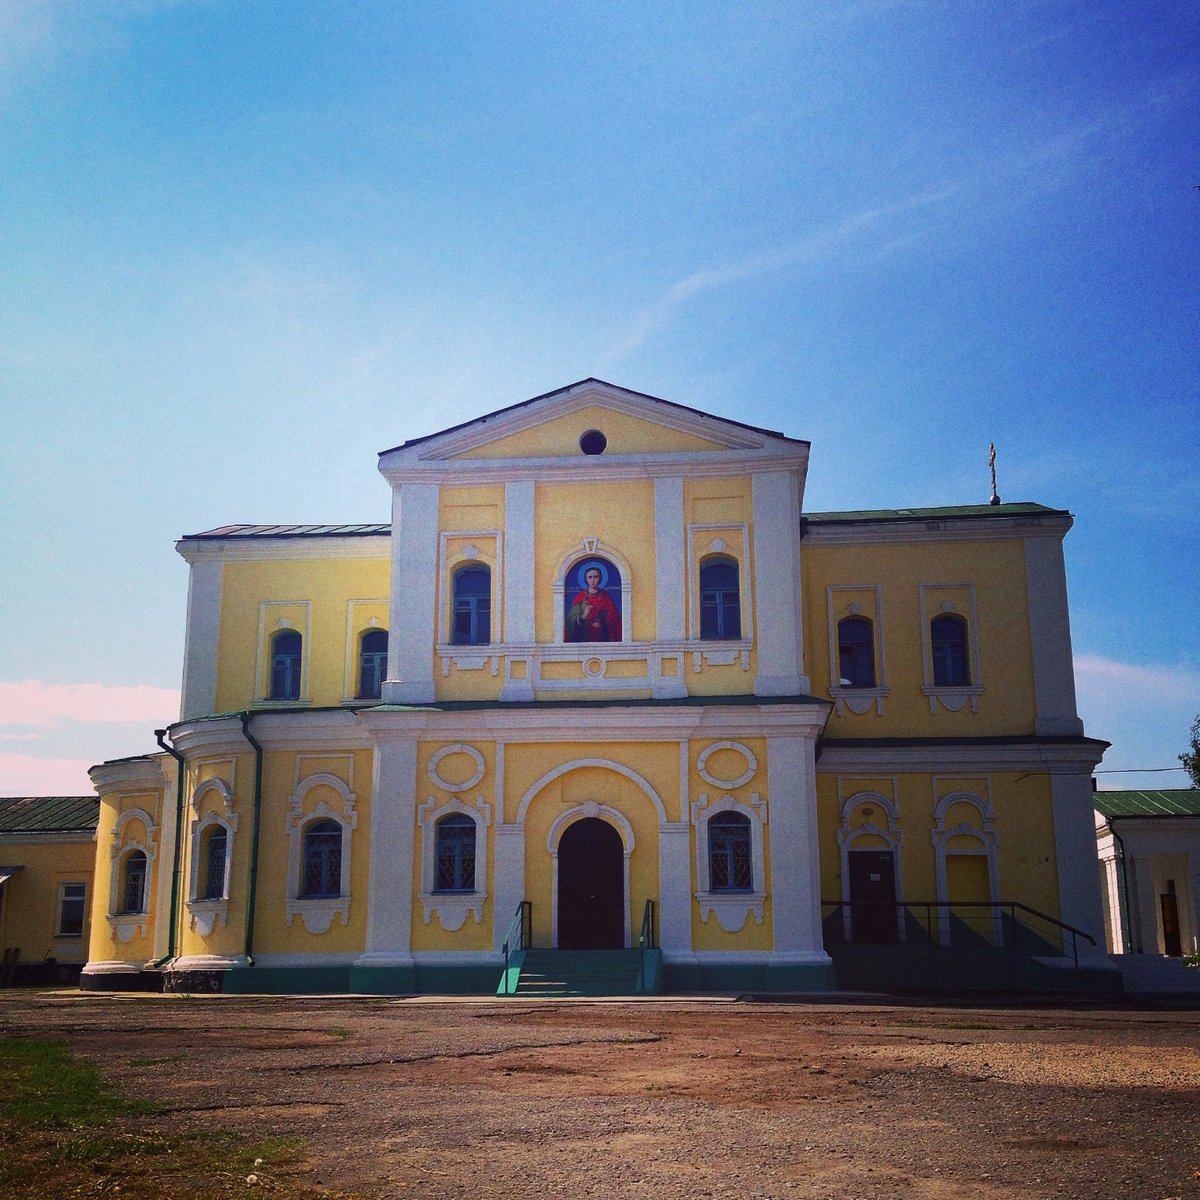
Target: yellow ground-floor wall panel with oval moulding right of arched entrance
{"x":729,"y":765}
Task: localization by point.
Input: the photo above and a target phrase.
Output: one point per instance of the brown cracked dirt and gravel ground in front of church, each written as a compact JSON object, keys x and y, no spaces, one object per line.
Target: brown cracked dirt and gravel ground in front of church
{"x":667,"y":1099}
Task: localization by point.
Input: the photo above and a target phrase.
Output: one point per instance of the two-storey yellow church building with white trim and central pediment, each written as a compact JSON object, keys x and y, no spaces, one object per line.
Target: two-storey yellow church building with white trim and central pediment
{"x":604,"y":698}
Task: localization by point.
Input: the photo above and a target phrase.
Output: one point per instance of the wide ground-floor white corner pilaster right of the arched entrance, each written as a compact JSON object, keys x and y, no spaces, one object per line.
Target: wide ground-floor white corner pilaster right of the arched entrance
{"x":795,"y":863}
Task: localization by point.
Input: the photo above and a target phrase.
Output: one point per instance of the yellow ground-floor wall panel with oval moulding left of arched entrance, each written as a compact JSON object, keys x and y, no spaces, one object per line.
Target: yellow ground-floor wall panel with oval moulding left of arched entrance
{"x":457,"y":769}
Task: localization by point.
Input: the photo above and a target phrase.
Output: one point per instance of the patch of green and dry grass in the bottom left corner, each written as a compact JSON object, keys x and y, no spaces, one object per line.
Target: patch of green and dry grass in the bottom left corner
{"x":67,"y":1131}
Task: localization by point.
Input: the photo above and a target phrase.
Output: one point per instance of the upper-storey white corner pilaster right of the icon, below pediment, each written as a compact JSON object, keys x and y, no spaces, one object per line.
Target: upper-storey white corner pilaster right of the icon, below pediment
{"x":777,"y":560}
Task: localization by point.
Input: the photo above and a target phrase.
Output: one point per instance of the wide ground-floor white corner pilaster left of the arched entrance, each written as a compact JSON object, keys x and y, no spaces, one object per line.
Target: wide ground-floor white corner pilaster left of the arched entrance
{"x":393,"y":839}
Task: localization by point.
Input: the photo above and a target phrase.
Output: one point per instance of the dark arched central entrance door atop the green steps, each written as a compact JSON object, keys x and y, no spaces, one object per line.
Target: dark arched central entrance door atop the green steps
{"x":591,"y":887}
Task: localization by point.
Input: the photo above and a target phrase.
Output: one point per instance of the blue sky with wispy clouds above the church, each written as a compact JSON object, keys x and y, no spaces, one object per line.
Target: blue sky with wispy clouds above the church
{"x":248,"y":245}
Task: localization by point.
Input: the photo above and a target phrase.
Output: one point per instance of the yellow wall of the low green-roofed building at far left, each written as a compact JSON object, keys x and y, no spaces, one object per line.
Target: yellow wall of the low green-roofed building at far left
{"x":32,"y":899}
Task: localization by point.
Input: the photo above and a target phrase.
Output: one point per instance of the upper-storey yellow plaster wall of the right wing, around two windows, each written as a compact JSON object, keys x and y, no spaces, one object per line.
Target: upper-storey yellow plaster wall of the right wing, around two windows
{"x":995,"y":568}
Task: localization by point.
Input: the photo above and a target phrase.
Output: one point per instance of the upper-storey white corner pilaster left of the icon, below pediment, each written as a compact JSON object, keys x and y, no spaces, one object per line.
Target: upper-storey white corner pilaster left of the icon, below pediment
{"x":415,"y":590}
